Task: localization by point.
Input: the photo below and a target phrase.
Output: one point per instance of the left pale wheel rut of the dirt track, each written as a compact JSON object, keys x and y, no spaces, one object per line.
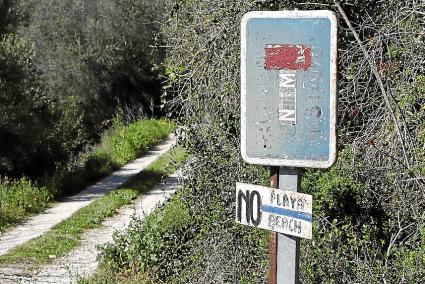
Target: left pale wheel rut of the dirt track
{"x":40,"y":224}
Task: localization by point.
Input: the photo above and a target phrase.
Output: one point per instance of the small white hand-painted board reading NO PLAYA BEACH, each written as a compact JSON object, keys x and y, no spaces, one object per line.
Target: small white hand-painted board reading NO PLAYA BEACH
{"x":273,"y":209}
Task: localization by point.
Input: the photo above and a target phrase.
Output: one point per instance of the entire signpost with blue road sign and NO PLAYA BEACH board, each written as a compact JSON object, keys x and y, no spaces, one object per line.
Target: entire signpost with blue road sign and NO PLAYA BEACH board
{"x":288,"y":119}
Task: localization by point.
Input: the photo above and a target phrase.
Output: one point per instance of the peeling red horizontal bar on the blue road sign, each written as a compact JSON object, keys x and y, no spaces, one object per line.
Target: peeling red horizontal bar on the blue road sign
{"x":287,"y":56}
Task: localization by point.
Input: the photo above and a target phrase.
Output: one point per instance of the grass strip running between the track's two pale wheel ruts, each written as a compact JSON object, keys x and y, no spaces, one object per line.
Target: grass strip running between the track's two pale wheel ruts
{"x":67,"y":235}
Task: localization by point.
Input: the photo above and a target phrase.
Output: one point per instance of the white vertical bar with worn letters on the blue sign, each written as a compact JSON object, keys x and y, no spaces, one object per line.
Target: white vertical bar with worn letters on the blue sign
{"x":287,"y":97}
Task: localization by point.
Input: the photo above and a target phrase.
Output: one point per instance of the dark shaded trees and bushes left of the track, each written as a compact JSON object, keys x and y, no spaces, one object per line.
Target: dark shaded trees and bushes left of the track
{"x":63,"y":78}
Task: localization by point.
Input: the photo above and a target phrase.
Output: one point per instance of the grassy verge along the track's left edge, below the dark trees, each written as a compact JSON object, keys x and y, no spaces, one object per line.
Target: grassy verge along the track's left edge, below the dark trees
{"x":119,"y":145}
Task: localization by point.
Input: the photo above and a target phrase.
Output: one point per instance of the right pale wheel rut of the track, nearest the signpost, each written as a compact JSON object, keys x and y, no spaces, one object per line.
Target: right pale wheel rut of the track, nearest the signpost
{"x":82,"y":261}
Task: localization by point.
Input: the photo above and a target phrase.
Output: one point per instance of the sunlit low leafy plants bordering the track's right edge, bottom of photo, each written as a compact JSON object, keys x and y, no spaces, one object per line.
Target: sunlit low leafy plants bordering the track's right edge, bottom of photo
{"x":149,"y":249}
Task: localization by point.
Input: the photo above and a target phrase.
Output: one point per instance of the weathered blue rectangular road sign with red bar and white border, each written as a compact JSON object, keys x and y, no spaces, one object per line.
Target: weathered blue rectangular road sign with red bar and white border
{"x":288,"y":88}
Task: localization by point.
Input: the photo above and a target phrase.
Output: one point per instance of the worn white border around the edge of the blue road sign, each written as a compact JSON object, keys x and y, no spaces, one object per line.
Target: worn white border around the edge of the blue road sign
{"x":333,"y":93}
